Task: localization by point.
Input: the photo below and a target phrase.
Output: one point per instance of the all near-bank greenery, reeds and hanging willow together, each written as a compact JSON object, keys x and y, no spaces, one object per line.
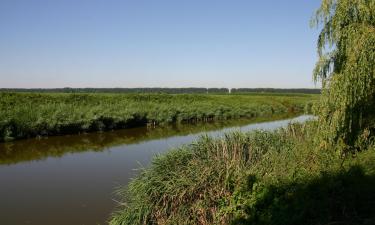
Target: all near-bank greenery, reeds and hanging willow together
{"x":296,"y":175}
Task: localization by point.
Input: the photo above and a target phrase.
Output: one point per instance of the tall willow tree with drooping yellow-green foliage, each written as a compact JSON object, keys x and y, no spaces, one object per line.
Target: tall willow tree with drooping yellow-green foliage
{"x":346,"y":66}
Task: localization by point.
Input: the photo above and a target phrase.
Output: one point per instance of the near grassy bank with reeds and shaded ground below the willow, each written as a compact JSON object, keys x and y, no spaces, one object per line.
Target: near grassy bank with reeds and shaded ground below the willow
{"x":254,"y":178}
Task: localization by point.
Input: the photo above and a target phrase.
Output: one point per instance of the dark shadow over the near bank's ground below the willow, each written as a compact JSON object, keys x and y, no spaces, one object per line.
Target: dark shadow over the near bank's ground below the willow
{"x":341,"y":198}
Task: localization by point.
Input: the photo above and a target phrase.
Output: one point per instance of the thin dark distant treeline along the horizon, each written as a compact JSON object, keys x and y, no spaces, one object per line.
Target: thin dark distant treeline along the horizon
{"x":163,"y":90}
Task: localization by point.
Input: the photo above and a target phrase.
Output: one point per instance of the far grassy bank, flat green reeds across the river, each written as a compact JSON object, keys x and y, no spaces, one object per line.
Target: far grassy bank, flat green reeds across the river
{"x":24,"y":115}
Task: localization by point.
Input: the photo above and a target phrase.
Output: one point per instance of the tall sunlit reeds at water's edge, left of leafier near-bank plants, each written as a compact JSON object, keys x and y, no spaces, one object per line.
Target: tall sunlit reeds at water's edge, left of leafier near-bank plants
{"x":188,"y":185}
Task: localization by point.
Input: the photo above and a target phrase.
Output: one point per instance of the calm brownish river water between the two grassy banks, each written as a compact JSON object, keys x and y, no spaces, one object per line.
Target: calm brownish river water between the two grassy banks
{"x":70,"y":180}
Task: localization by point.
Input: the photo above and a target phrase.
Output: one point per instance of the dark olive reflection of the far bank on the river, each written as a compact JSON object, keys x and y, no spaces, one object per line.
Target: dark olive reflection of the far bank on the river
{"x":39,"y":149}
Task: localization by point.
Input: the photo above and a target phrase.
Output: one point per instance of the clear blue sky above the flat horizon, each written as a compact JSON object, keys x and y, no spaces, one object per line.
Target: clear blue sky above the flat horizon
{"x":157,"y":43}
